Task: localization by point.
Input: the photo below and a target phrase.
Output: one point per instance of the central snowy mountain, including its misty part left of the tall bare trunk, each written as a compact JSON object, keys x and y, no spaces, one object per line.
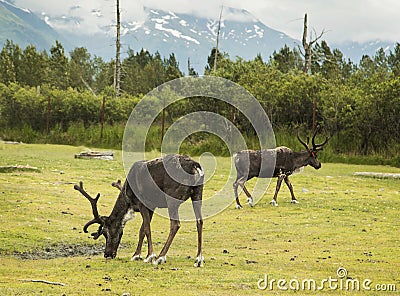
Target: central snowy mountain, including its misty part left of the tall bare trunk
{"x":187,"y":36}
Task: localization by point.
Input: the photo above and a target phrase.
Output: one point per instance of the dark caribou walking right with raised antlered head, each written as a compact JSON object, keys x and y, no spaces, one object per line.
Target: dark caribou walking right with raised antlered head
{"x":248,"y":165}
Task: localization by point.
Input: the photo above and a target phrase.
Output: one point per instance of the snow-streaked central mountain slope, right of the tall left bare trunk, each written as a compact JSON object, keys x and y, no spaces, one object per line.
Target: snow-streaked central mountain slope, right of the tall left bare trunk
{"x":194,"y":37}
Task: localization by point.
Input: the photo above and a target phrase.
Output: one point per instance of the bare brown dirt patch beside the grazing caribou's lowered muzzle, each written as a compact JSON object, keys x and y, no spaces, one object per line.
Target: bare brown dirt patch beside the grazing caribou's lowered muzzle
{"x":63,"y":250}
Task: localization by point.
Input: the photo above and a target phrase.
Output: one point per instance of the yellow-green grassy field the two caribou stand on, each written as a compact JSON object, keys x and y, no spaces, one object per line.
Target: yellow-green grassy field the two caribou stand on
{"x":341,"y":221}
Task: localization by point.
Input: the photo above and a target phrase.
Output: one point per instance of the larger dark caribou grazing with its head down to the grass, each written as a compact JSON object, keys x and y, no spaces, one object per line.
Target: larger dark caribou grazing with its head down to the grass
{"x":159,"y":183}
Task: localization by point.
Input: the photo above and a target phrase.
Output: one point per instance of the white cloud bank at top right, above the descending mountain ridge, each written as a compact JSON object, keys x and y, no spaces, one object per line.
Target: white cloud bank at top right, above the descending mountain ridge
{"x":356,"y":20}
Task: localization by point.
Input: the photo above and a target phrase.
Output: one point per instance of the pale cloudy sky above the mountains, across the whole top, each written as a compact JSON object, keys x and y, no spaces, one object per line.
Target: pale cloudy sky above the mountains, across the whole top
{"x":342,"y":20}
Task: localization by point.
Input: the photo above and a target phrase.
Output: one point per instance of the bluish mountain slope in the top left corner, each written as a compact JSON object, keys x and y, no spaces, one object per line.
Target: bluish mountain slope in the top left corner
{"x":24,"y":27}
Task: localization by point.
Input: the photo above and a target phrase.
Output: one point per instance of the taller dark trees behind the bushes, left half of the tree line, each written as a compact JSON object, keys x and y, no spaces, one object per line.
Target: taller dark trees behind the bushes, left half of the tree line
{"x":80,"y":70}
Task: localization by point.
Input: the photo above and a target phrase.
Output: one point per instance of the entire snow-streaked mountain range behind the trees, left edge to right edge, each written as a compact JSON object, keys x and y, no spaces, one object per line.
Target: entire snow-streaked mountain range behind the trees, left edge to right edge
{"x":186,"y":35}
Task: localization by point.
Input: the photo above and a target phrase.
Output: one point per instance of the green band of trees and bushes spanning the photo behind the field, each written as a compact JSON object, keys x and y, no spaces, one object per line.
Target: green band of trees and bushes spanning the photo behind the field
{"x":357,"y":103}
